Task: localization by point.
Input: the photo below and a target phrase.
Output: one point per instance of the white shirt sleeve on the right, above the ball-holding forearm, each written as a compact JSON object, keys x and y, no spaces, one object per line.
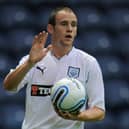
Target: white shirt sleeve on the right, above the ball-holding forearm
{"x":95,"y":86}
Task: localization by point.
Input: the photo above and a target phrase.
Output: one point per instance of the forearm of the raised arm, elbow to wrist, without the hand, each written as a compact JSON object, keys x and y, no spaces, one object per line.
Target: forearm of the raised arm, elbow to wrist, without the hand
{"x":12,"y":80}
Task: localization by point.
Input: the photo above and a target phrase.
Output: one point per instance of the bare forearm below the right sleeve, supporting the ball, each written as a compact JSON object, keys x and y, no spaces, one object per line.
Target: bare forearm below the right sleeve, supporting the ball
{"x":92,"y":114}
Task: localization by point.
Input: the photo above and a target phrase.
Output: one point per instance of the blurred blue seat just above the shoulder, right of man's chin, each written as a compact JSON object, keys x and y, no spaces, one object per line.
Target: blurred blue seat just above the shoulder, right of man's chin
{"x":95,"y":42}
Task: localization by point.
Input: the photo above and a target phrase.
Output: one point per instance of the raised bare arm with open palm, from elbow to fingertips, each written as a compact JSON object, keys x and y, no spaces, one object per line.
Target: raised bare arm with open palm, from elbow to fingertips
{"x":37,"y":52}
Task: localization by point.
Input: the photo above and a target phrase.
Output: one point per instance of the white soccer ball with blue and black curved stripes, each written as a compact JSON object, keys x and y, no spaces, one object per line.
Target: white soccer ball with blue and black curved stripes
{"x":68,"y":95}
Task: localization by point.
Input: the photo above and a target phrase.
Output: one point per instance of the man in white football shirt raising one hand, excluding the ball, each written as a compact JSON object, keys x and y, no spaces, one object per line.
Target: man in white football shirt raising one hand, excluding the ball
{"x":44,"y":66}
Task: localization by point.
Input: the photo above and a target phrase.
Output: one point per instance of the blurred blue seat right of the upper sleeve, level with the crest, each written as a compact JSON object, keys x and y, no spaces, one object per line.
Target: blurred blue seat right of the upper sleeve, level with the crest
{"x":112,"y":67}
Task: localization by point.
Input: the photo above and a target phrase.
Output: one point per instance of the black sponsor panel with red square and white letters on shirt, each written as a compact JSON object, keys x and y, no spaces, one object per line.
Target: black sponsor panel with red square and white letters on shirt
{"x":40,"y":90}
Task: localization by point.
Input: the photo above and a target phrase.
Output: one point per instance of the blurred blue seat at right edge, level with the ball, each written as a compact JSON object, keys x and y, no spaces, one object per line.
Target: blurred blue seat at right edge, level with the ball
{"x":117,"y":94}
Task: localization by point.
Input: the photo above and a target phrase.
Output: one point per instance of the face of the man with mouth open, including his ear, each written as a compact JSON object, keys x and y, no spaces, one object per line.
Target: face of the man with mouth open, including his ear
{"x":65,"y":30}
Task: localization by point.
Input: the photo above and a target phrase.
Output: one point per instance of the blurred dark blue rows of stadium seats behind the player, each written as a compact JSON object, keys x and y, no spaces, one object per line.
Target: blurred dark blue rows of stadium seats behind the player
{"x":103,"y":32}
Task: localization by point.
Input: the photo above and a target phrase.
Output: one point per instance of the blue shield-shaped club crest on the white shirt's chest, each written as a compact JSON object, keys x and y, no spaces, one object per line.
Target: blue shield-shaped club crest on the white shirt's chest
{"x":73,"y":72}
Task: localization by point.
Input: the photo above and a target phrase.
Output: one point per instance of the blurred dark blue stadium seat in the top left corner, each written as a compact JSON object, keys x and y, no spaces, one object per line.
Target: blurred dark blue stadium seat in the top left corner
{"x":16,"y":16}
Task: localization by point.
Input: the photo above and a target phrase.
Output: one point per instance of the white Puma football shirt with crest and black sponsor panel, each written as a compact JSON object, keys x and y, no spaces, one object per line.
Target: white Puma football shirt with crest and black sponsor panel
{"x":39,"y":112}
